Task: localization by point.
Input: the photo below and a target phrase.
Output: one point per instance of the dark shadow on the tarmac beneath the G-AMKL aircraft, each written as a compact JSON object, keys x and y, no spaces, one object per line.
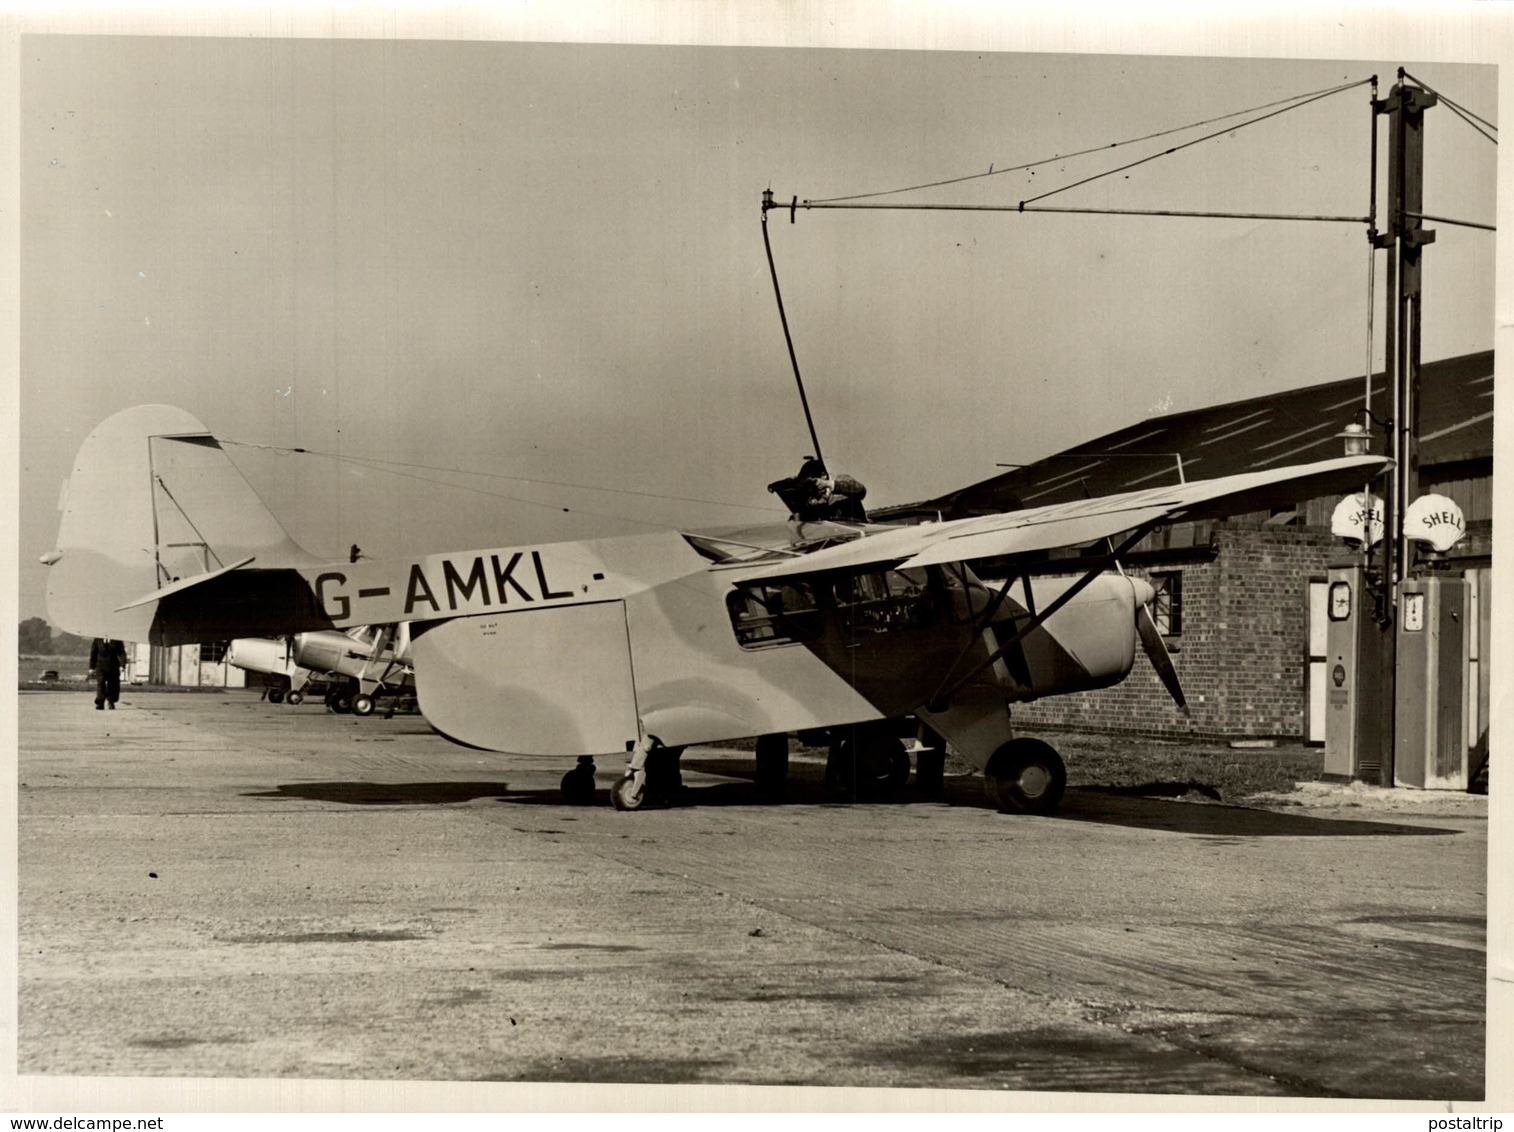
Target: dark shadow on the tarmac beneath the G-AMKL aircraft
{"x":806,"y":788}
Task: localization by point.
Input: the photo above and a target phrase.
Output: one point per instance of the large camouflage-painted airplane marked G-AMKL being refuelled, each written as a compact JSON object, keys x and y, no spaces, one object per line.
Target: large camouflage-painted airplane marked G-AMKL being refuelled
{"x":647,"y":644}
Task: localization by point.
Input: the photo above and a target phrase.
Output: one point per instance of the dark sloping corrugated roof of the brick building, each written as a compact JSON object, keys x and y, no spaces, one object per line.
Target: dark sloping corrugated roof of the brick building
{"x":1242,"y":437}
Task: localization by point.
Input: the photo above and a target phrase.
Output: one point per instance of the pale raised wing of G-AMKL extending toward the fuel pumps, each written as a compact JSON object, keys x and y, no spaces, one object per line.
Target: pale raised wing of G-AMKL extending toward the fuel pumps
{"x":1085,"y":521}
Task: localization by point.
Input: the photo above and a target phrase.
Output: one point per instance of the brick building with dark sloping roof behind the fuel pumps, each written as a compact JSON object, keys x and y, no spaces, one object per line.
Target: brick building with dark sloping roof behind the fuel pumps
{"x":1241,"y":602}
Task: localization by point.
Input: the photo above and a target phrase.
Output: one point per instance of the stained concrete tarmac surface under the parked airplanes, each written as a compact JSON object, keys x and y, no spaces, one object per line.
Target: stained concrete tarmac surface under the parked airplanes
{"x":217,"y":888}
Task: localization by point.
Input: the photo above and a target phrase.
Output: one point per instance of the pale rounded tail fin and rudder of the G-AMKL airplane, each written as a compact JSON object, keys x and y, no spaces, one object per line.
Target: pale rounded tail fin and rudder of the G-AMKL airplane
{"x":152,"y":500}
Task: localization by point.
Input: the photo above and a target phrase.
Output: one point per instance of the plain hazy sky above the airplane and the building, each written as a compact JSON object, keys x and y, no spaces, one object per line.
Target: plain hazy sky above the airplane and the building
{"x":546,"y":263}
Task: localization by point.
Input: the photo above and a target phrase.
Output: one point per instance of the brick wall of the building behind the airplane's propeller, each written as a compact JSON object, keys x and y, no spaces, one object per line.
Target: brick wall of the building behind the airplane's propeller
{"x":1242,"y":655}
